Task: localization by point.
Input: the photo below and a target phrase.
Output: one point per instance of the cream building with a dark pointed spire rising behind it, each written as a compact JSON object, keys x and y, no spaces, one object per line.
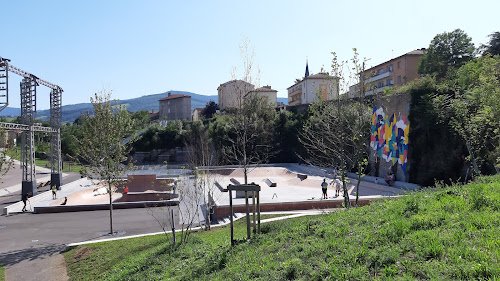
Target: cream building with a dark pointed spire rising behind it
{"x":313,"y":87}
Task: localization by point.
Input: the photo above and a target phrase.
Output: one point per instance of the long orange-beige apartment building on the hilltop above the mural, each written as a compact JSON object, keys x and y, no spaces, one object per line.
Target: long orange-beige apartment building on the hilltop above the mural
{"x":395,"y":72}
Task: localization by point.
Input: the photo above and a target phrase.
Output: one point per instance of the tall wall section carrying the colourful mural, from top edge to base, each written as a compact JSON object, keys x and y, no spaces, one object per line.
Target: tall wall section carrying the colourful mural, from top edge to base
{"x":389,"y":136}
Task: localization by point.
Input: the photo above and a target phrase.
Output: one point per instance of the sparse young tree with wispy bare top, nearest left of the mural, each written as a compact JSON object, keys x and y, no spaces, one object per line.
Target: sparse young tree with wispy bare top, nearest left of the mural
{"x":337,"y":133}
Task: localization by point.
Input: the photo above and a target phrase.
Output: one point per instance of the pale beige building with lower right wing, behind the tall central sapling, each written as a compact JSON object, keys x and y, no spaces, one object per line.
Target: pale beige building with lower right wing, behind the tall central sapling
{"x":231,"y":94}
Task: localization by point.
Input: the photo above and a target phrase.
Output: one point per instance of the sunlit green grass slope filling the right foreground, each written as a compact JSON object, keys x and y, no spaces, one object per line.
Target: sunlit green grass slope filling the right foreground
{"x":447,"y":233}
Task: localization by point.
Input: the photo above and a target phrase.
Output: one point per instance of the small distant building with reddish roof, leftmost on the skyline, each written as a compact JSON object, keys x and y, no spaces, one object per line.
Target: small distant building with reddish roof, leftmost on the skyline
{"x":175,"y":107}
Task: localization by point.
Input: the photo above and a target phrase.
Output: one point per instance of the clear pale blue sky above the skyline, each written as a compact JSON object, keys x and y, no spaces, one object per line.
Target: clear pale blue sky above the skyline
{"x":137,"y":48}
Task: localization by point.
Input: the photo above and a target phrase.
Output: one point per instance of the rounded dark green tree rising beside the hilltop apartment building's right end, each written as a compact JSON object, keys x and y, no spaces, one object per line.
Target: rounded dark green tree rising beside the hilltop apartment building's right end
{"x":447,"y":50}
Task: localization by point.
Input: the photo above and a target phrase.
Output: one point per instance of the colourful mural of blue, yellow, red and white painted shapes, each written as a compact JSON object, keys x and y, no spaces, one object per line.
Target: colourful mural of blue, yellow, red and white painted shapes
{"x":389,"y":137}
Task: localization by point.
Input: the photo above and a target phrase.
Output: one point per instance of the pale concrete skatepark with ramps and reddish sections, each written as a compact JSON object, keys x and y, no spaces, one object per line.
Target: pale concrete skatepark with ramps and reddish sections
{"x":284,"y":187}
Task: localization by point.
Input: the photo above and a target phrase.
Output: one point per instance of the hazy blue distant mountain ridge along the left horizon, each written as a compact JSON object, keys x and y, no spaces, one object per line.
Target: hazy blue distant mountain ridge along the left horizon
{"x":149,"y":102}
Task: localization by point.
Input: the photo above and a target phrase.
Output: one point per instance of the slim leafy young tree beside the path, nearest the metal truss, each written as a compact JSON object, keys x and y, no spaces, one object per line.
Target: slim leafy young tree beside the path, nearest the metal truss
{"x":102,"y":148}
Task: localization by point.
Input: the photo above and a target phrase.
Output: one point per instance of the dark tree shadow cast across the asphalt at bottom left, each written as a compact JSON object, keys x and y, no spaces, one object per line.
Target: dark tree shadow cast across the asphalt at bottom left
{"x":29,"y":254}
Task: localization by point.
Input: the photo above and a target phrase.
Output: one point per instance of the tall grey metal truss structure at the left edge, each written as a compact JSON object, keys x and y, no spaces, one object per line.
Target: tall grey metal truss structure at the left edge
{"x":28,"y":127}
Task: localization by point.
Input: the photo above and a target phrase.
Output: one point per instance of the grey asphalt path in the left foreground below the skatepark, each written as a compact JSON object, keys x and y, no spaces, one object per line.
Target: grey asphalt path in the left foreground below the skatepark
{"x":29,"y":241}
